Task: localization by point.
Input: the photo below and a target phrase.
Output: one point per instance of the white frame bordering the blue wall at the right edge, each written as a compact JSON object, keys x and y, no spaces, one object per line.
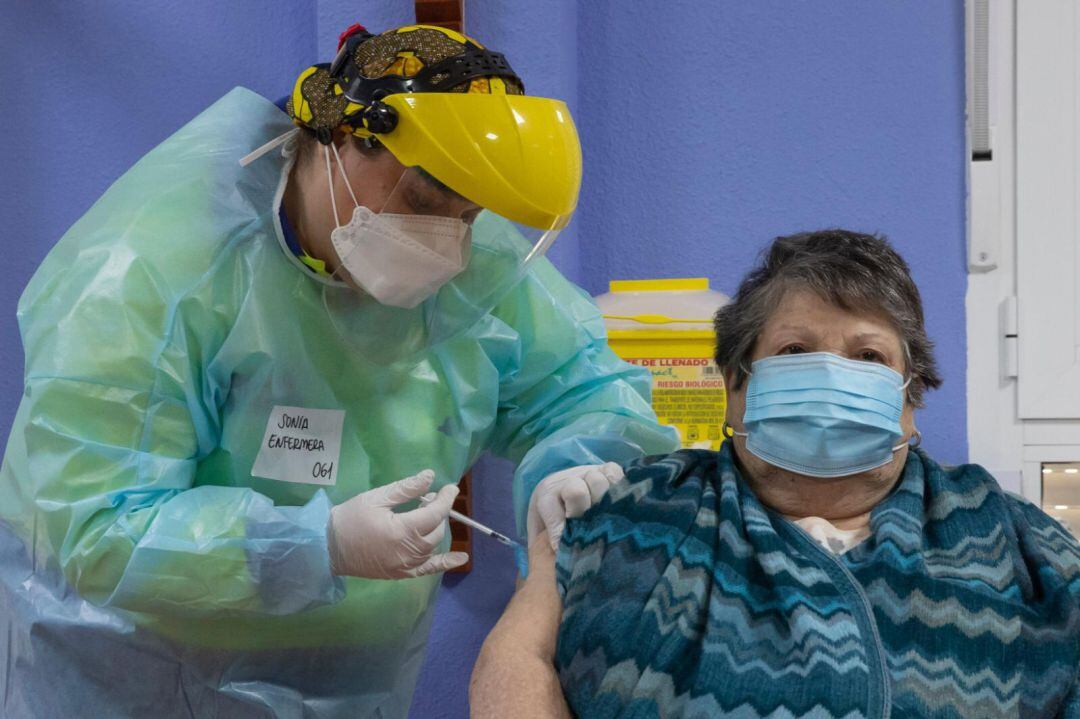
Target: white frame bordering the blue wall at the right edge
{"x":1012,"y":450}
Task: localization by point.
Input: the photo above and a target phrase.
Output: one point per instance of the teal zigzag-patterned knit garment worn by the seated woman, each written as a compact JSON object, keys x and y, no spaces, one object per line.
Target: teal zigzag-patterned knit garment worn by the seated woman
{"x":684,"y":596}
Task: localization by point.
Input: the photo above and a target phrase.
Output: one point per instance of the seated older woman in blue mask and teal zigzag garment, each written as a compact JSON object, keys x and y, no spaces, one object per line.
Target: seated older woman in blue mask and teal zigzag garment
{"x":819,"y":565}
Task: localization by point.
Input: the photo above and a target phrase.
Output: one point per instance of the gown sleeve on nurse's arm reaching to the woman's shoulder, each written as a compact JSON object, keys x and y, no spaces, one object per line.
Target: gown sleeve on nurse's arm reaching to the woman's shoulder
{"x":566,"y":399}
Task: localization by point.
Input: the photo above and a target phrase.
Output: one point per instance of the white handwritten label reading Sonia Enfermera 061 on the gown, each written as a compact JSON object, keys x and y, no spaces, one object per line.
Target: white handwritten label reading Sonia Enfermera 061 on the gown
{"x":301,"y":445}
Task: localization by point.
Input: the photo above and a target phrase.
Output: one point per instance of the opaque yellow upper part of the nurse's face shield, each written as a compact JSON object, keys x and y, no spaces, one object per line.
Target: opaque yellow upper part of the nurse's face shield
{"x":516,"y":156}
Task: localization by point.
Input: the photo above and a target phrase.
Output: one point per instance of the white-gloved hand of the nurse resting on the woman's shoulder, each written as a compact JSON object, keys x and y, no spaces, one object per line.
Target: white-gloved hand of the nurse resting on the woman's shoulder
{"x":569,"y":494}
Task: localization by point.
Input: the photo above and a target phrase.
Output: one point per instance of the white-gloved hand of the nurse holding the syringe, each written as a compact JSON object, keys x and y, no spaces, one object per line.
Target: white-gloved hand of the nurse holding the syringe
{"x":369,"y":539}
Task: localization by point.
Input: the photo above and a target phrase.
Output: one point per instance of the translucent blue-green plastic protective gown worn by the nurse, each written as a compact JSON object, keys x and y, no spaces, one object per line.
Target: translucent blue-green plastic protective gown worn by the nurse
{"x":144,"y":568}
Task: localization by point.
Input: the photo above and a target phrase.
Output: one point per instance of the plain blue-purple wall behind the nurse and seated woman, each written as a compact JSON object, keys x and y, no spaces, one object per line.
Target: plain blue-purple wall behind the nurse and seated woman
{"x":708,"y":129}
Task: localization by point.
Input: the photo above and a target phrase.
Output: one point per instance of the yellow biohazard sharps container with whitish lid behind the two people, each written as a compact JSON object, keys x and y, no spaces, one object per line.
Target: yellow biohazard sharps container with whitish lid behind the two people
{"x":667,"y":325}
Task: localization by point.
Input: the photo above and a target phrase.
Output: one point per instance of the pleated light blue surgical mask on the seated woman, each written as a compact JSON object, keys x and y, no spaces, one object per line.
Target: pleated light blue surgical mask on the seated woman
{"x":823,"y":416}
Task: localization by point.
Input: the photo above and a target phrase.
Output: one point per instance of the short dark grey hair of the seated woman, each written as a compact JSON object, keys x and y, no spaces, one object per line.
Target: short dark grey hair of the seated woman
{"x":855,"y":272}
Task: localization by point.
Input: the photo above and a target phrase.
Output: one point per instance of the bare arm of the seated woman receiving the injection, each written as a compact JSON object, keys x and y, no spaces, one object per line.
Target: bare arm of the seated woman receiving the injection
{"x":516,"y":673}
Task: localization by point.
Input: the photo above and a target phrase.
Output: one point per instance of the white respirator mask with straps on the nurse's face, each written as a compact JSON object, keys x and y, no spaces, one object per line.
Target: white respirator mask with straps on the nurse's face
{"x":400,"y":261}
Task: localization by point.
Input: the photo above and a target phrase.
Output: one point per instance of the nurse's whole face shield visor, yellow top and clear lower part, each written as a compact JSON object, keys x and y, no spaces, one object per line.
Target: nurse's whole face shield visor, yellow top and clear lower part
{"x":490,"y":182}
